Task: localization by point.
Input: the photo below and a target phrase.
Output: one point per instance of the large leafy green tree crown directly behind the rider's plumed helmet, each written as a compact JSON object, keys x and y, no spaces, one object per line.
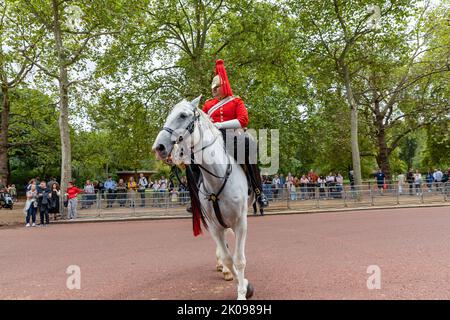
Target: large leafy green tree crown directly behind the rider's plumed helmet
{"x":186,"y":37}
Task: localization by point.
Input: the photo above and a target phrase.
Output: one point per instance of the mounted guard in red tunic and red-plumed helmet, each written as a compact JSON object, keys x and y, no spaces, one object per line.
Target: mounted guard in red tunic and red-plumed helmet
{"x":228,"y":113}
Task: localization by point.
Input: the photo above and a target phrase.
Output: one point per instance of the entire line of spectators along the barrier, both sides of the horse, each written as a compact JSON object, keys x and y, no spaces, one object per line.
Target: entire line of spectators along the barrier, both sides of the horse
{"x":44,"y":197}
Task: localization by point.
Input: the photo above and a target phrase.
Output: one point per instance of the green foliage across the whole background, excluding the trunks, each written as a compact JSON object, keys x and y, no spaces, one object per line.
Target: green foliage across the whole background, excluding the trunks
{"x":154,"y":53}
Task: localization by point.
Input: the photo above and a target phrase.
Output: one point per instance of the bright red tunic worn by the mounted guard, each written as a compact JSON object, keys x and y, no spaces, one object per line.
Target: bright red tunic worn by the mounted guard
{"x":232,"y":110}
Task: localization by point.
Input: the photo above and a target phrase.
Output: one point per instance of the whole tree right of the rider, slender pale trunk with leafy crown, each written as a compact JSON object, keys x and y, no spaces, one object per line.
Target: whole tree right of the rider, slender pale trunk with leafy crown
{"x":332,"y":36}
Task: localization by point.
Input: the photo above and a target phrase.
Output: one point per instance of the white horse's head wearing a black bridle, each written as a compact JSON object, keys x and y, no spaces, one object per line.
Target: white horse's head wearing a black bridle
{"x":179,"y":125}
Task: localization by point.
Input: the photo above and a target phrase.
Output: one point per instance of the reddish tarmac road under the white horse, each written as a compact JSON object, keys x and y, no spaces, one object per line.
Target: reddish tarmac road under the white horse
{"x":304,"y":256}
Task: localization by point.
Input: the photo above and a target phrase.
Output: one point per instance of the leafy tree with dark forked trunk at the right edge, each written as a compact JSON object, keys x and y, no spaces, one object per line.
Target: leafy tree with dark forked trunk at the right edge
{"x":400,"y":82}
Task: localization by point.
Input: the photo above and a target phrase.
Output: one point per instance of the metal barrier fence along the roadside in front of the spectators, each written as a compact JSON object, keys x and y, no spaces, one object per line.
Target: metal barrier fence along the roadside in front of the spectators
{"x":303,"y":198}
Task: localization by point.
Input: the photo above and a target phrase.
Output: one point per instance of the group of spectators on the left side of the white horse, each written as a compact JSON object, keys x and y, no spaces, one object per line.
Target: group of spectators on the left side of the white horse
{"x":44,"y":197}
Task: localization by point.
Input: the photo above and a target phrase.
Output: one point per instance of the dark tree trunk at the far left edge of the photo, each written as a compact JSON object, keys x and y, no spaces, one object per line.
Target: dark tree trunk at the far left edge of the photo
{"x":4,"y":160}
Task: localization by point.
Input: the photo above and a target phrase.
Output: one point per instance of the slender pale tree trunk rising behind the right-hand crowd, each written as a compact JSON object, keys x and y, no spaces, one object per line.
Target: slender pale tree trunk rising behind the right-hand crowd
{"x":356,"y":159}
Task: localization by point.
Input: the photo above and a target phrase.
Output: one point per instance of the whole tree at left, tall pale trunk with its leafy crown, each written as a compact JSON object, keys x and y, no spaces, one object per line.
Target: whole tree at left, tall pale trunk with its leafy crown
{"x":72,"y":30}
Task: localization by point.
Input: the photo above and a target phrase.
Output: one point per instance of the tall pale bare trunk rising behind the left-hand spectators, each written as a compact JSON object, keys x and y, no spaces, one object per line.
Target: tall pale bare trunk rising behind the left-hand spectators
{"x":66,"y":153}
